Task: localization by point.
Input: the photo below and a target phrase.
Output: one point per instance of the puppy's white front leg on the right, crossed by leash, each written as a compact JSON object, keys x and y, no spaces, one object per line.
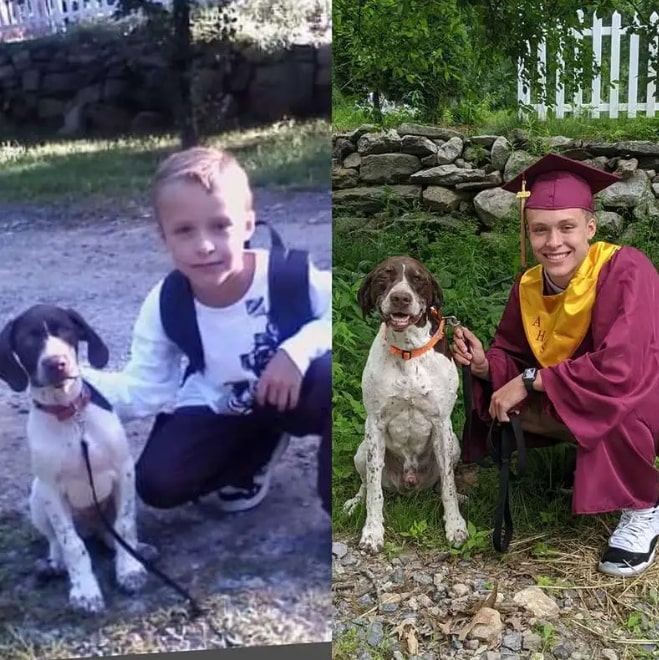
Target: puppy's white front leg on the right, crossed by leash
{"x":131,"y":574}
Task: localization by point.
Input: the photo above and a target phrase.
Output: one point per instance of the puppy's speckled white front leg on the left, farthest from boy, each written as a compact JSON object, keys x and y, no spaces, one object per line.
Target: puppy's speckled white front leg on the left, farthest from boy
{"x":85,"y":594}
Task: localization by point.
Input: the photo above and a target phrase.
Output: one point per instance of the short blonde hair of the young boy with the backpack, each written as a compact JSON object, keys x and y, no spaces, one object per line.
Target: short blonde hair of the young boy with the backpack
{"x":203,"y":165}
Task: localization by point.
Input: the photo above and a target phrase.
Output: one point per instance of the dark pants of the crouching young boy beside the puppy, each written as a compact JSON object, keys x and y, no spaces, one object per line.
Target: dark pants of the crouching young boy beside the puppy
{"x":193,"y":451}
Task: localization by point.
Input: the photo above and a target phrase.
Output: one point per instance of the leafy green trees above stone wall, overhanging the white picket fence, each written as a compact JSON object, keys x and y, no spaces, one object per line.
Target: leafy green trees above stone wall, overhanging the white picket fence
{"x":441,"y":53}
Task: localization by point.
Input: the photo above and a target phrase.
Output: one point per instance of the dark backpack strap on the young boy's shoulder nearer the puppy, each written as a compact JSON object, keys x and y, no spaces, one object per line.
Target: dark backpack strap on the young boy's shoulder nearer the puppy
{"x":179,"y":319}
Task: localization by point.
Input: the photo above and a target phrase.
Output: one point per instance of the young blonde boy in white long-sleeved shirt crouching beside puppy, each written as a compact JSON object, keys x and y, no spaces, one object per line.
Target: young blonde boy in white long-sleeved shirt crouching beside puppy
{"x":223,"y":426}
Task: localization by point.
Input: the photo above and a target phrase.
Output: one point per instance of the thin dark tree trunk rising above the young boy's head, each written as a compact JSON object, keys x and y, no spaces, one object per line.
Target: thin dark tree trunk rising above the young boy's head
{"x":183,"y":69}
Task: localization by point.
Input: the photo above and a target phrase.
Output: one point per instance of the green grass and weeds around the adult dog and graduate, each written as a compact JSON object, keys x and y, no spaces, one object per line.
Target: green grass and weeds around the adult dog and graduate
{"x":476,"y":275}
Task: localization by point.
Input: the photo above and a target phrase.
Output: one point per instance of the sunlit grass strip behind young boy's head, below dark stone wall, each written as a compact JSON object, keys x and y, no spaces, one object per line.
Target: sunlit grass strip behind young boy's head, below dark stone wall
{"x":288,"y":154}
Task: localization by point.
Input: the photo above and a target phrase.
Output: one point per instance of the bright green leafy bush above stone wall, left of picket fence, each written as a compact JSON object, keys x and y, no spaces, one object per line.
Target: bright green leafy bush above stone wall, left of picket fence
{"x":417,"y":51}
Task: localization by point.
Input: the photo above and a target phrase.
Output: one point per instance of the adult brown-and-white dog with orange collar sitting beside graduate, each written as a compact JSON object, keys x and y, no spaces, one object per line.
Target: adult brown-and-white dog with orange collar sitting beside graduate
{"x":409,"y":387}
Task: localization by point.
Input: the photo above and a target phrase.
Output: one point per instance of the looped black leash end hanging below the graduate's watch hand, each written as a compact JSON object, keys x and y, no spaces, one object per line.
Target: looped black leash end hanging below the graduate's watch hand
{"x":511,"y":437}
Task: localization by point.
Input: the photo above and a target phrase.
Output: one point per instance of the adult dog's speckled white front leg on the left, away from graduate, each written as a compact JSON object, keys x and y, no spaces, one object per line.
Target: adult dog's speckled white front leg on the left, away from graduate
{"x":372,"y":539}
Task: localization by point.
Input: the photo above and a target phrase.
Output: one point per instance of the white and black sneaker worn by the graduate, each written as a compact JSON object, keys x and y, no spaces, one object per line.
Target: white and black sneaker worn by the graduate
{"x":632,"y":545}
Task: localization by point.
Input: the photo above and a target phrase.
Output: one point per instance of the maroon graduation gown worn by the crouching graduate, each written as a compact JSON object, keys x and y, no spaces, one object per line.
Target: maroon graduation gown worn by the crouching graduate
{"x":607,"y":393}
